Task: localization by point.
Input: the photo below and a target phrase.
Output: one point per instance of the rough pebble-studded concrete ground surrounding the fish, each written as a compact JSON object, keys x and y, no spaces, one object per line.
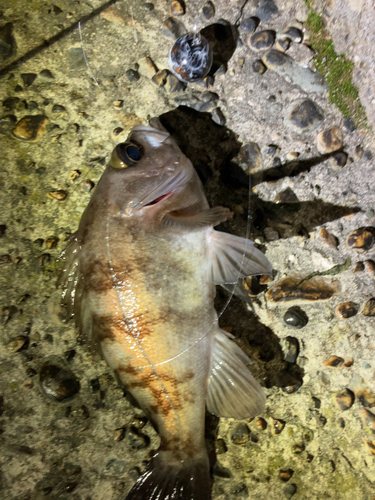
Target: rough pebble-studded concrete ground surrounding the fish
{"x":316,"y":438}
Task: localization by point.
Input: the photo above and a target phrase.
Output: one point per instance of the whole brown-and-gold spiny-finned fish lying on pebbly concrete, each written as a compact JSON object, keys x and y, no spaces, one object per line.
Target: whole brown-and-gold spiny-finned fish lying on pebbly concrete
{"x":139,"y":278}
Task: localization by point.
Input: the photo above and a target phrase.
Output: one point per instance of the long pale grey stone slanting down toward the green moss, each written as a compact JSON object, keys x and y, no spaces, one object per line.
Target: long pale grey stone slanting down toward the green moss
{"x":285,"y":66}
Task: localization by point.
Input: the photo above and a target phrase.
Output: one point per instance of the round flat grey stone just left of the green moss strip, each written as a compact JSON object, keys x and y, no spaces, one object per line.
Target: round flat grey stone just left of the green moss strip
{"x":303,"y":115}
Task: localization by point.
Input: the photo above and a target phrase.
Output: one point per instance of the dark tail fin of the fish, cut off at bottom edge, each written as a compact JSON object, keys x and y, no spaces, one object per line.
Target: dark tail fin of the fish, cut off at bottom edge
{"x":178,"y":480}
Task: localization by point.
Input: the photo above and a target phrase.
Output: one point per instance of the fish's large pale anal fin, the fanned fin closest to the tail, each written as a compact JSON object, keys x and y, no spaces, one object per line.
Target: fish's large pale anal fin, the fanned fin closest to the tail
{"x":232,"y":390}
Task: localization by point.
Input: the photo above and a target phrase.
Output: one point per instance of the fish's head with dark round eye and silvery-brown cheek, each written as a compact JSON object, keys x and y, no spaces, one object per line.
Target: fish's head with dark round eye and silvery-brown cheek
{"x":147,"y":169}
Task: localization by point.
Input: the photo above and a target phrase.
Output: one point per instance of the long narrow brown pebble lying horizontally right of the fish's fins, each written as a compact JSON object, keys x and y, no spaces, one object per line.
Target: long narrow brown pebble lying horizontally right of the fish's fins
{"x":292,"y":289}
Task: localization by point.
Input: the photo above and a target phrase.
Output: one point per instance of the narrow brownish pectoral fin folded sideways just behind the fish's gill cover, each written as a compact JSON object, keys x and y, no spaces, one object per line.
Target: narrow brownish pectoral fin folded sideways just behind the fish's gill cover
{"x":210,"y":217}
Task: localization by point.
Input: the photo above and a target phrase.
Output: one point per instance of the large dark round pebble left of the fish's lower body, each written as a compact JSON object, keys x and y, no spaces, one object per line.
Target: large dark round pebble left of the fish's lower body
{"x":58,"y":383}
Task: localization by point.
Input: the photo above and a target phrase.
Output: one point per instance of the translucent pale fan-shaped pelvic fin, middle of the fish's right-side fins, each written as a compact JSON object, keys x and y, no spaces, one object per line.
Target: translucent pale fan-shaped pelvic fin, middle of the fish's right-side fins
{"x":234,"y":258}
